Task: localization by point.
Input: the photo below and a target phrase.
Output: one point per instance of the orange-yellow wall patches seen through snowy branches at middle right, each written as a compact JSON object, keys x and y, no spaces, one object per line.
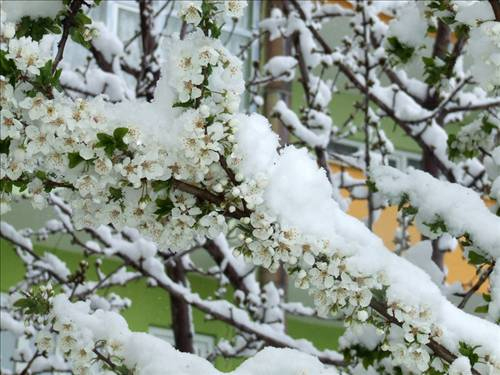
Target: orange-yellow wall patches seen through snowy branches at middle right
{"x":386,"y":225}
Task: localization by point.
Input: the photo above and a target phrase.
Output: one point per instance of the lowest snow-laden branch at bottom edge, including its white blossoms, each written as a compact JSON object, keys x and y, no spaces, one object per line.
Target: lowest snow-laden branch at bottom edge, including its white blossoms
{"x":107,"y":334}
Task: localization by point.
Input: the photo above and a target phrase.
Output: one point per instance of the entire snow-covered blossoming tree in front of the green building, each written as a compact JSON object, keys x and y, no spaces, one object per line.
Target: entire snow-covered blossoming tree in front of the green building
{"x":152,"y":171}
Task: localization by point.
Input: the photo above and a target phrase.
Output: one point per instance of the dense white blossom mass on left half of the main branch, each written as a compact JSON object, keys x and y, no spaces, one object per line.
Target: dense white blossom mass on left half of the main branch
{"x":105,"y":162}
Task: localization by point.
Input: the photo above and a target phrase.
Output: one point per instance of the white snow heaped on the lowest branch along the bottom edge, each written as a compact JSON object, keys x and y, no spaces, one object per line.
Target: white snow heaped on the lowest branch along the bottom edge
{"x":150,"y":355}
